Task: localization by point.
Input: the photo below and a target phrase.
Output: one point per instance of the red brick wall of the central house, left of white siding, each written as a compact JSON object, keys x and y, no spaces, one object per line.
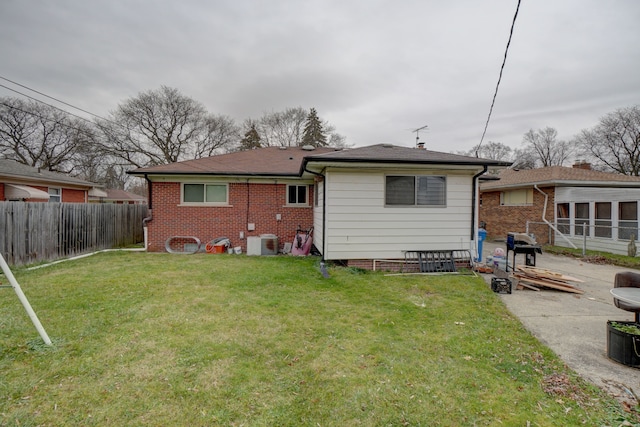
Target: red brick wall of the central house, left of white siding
{"x":249,"y":203}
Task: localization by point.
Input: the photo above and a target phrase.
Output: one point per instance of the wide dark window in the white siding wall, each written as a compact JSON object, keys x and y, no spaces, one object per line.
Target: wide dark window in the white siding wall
{"x":416,"y":190}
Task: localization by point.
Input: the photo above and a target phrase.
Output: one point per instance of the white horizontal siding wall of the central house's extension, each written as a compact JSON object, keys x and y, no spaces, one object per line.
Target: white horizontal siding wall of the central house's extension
{"x":359,"y":226}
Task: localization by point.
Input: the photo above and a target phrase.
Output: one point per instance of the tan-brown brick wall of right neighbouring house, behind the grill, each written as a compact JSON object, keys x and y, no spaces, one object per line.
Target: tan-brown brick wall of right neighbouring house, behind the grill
{"x":502,"y":219}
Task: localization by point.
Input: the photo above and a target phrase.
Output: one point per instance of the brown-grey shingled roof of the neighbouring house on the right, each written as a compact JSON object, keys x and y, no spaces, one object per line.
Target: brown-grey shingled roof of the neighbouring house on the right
{"x":559,"y":176}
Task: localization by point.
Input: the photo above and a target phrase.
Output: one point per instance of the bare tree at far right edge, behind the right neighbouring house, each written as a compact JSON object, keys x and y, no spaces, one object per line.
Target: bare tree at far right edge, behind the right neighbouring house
{"x":615,"y":141}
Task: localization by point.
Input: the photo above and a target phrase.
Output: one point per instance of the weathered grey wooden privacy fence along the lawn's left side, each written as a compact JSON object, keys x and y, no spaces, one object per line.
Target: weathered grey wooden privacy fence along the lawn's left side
{"x":33,"y":232}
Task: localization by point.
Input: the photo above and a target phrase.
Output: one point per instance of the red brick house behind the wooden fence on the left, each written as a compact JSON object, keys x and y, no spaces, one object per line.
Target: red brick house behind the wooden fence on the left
{"x":19,"y":182}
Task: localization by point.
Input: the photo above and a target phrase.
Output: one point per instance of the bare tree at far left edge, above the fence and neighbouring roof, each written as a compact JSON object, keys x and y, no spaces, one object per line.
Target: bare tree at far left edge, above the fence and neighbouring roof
{"x":39,"y":135}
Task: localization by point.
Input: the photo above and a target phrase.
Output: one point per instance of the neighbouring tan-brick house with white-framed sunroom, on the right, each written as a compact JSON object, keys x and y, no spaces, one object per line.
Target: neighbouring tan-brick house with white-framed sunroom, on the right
{"x":565,"y":198}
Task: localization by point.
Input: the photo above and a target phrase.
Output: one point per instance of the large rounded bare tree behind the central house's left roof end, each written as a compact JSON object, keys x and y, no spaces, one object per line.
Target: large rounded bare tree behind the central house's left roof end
{"x":163,"y":126}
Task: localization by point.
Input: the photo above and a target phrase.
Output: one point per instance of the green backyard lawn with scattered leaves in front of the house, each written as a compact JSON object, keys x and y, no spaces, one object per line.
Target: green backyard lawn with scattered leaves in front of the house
{"x":160,"y":339}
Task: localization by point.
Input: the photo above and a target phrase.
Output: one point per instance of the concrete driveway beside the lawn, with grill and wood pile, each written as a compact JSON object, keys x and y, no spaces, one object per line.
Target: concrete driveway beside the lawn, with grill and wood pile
{"x":574,"y":325}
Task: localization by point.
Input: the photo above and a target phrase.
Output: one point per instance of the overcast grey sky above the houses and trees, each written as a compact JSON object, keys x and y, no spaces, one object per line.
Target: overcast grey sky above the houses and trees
{"x":376,"y":70}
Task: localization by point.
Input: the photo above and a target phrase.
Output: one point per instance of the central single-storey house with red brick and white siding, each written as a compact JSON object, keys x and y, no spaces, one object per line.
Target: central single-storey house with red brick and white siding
{"x":365,"y":204}
